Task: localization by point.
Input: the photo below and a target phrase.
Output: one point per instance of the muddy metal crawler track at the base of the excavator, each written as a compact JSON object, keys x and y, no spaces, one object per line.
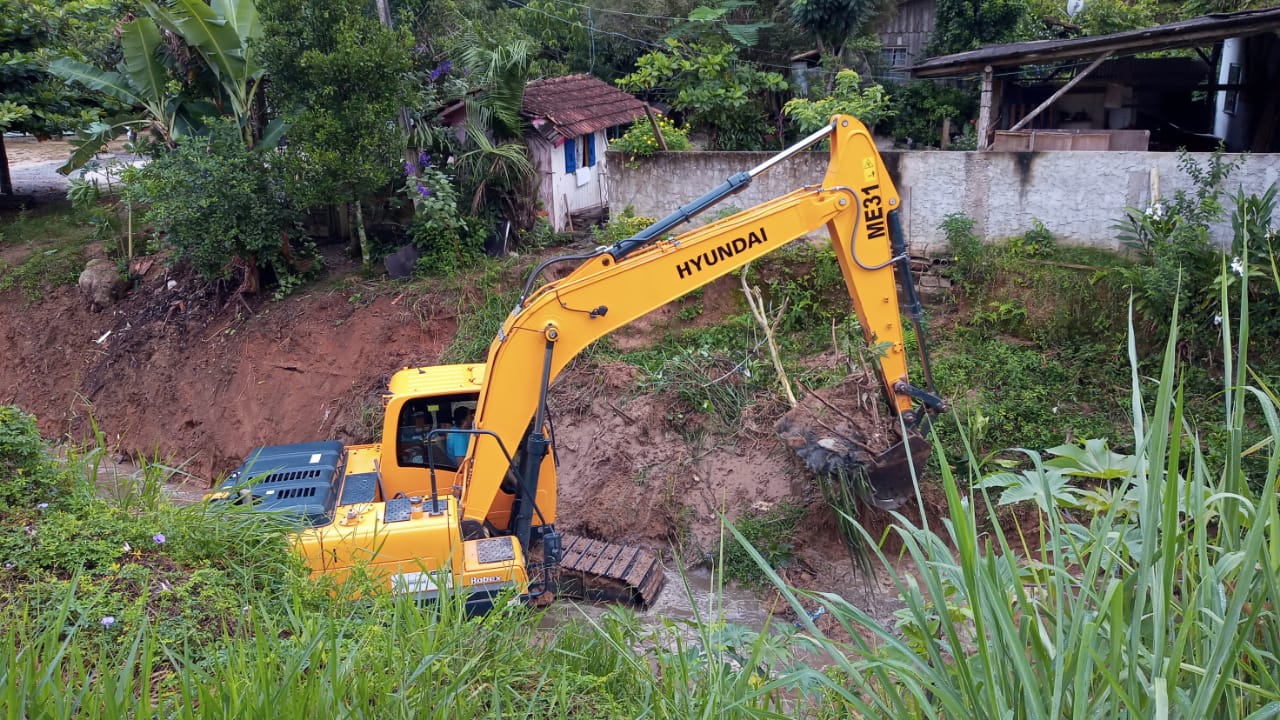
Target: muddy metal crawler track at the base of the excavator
{"x":604,"y":572}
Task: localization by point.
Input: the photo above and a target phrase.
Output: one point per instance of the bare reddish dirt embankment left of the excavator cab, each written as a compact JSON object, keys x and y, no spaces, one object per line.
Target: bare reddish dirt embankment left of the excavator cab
{"x":200,"y":382}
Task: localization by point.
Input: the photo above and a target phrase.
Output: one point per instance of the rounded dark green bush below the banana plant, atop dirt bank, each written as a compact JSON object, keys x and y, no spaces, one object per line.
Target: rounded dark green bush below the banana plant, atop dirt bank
{"x":221,"y":207}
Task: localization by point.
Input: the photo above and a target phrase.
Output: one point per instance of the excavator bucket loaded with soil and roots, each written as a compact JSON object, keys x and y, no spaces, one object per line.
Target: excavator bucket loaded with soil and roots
{"x":844,"y":431}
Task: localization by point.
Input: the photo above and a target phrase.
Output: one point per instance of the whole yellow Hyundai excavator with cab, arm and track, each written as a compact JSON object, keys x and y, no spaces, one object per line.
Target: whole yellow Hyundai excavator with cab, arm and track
{"x":461,"y":491}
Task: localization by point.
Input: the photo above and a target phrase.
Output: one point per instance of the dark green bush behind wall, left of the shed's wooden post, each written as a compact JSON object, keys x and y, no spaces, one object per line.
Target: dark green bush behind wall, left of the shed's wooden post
{"x":922,"y":107}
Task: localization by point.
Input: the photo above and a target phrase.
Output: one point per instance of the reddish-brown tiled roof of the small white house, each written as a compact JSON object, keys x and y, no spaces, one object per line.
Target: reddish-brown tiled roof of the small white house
{"x":574,"y":106}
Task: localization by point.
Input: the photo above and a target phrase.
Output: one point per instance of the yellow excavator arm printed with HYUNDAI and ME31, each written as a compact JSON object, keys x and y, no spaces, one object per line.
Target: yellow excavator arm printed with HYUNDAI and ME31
{"x":611,"y":288}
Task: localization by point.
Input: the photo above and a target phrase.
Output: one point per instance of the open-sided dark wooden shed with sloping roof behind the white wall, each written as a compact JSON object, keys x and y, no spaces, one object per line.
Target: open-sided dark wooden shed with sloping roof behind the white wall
{"x":1058,"y":57}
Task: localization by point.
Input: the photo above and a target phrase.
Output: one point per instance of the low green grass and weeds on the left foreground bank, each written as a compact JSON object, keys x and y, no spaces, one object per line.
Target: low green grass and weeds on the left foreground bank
{"x":218,"y":619}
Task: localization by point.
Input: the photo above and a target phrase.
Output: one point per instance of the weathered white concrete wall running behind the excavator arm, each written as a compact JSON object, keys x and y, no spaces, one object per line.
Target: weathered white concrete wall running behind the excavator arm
{"x":1078,"y":195}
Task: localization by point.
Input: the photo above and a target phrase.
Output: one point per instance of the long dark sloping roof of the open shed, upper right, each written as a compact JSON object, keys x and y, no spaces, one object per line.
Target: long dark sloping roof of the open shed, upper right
{"x":1186,"y":34}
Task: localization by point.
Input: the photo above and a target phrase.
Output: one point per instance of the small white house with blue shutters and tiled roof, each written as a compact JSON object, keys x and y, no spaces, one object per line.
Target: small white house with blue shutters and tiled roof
{"x":573,"y":119}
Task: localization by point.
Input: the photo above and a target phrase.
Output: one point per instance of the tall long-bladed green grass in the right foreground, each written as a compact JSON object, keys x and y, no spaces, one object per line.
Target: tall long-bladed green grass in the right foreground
{"x":1162,"y":603}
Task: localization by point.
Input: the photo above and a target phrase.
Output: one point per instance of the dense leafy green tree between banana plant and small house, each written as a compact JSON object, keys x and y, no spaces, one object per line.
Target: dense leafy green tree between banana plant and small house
{"x":340,"y":79}
